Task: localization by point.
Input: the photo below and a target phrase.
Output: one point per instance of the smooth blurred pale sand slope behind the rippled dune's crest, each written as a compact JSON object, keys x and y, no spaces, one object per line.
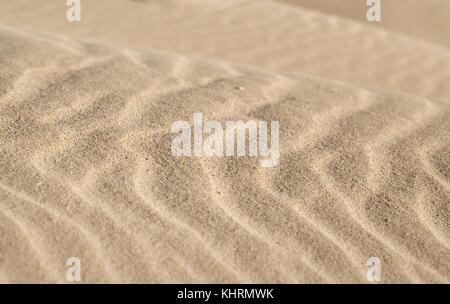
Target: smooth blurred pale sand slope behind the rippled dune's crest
{"x":269,"y":34}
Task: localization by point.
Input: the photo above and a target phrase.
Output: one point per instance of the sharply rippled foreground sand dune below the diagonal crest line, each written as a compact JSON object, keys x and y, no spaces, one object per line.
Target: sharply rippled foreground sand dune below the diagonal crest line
{"x":86,"y":169}
